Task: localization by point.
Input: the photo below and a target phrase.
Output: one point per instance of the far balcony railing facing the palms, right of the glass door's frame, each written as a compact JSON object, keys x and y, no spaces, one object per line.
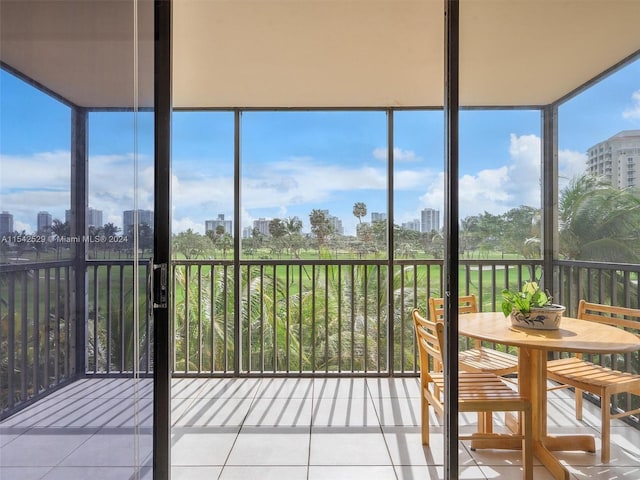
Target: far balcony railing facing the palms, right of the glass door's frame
{"x":315,"y":317}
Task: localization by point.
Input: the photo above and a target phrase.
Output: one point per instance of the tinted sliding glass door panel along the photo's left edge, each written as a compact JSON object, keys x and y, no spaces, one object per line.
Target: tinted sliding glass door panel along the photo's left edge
{"x":76,"y":224}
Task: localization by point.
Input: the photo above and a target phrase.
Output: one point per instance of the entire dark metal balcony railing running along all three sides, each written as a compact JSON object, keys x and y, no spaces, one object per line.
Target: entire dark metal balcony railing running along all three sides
{"x":290,"y":318}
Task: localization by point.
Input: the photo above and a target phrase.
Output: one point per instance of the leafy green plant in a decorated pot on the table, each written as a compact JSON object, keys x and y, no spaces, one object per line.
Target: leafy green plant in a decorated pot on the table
{"x":531,"y":307}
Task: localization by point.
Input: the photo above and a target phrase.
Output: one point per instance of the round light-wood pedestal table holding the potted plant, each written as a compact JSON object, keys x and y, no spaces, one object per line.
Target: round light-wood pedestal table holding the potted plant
{"x":574,"y":335}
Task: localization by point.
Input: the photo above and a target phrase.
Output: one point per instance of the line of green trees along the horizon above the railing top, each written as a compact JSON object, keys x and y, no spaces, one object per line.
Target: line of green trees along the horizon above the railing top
{"x":596,"y":221}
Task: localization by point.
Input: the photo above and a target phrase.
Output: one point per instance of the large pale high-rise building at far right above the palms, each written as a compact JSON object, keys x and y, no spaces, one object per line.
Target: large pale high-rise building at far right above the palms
{"x":617,"y":159}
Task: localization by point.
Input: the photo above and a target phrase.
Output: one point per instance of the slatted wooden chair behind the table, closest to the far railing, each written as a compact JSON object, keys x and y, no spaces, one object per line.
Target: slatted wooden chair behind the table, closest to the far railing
{"x":478,"y":358}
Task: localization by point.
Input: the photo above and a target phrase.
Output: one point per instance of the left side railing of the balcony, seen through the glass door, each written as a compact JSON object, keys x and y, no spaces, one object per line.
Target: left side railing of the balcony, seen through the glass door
{"x":36,"y":330}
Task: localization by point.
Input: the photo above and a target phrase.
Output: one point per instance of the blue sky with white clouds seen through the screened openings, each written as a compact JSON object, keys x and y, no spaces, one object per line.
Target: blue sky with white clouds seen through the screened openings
{"x":293,"y":162}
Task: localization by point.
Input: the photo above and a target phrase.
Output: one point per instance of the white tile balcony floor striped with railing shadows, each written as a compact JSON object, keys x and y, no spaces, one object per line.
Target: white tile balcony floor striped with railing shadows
{"x":268,"y":428}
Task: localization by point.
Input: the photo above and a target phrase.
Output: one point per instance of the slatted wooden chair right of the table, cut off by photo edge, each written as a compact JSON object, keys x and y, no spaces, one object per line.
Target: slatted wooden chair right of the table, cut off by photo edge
{"x":604,"y":382}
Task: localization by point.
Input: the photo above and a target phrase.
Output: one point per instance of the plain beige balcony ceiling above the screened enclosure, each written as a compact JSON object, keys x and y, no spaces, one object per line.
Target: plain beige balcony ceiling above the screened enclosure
{"x":318,"y":53}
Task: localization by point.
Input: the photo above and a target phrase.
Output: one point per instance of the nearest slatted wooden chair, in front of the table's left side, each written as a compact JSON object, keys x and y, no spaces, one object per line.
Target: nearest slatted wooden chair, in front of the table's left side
{"x":478,"y":392}
